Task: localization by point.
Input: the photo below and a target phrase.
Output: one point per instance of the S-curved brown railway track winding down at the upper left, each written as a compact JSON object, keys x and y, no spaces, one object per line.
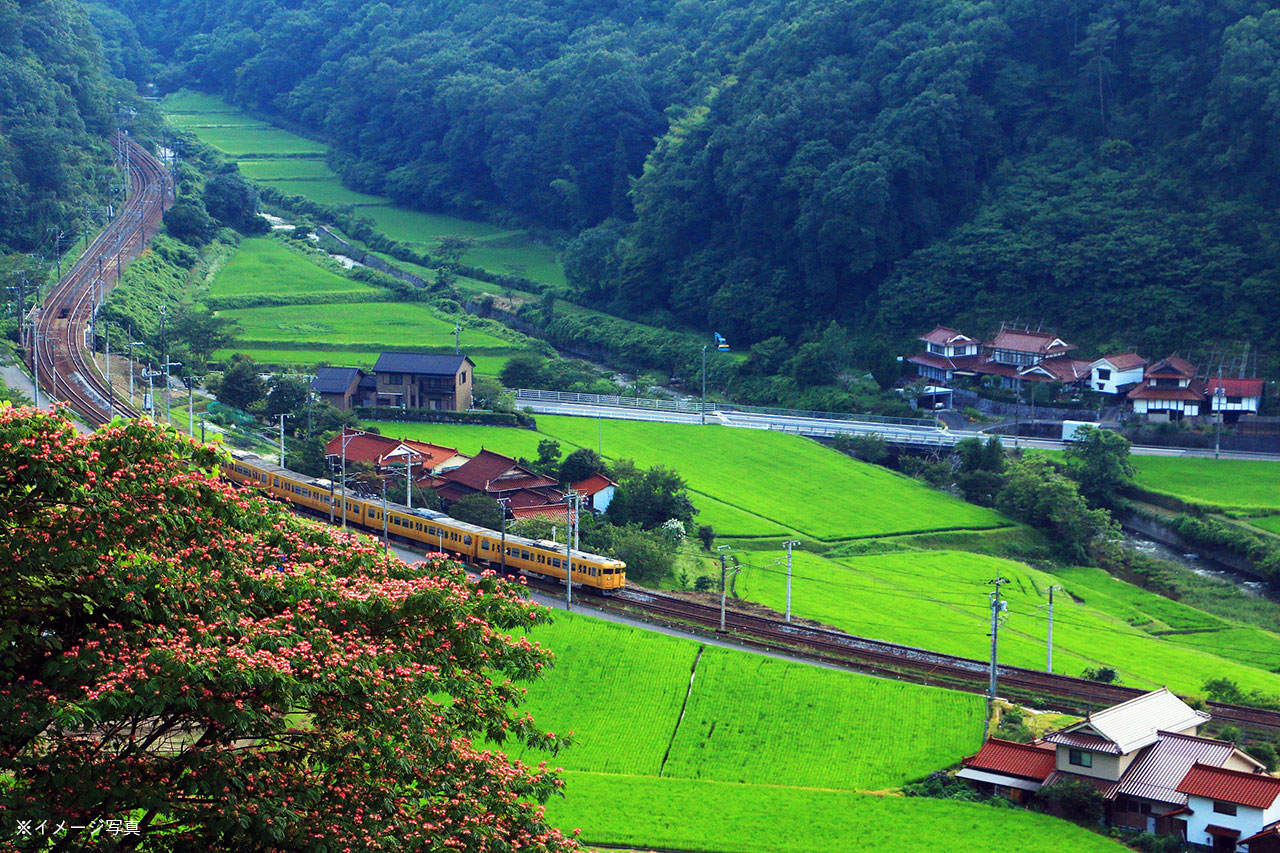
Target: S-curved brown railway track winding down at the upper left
{"x":61,"y":323}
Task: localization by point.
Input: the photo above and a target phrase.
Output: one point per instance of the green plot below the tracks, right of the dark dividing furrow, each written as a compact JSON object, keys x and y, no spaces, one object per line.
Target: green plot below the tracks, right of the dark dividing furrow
{"x":833,"y":731}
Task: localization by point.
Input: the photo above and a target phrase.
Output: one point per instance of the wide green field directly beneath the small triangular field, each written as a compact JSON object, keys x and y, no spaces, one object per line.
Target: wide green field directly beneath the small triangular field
{"x":374,"y":325}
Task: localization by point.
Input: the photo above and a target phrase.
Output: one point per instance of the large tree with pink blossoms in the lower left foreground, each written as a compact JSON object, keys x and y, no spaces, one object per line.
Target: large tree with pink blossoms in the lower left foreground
{"x":195,"y":663}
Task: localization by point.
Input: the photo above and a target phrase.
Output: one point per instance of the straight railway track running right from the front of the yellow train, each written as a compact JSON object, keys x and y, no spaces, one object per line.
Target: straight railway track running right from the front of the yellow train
{"x":906,"y":663}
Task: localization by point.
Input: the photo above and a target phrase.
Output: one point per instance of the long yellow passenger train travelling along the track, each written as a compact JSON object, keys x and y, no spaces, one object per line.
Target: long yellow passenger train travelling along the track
{"x":476,"y":545}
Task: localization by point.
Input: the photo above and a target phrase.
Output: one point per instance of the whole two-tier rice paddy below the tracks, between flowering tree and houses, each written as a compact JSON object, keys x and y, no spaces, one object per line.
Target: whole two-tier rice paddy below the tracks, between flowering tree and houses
{"x":769,"y":755}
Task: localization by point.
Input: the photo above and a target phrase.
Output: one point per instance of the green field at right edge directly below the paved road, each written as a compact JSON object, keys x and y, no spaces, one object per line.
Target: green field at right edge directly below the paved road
{"x":1227,"y":483}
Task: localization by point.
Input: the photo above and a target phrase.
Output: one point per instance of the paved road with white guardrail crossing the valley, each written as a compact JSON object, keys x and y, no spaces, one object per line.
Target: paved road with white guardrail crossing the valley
{"x":829,"y":428}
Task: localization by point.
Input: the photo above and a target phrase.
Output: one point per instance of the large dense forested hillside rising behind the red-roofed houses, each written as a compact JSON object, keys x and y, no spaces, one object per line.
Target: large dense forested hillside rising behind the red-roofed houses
{"x":764,"y":166}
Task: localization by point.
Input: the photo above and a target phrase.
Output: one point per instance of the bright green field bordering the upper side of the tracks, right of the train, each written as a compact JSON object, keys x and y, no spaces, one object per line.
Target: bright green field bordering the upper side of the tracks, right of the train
{"x":938,"y":600}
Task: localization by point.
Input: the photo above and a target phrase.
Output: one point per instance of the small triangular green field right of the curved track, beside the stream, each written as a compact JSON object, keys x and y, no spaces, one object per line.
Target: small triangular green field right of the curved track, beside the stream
{"x":264,"y":267}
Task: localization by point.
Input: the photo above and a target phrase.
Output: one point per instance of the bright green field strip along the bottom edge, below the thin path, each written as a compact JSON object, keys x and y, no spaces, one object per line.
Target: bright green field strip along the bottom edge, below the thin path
{"x":689,"y":815}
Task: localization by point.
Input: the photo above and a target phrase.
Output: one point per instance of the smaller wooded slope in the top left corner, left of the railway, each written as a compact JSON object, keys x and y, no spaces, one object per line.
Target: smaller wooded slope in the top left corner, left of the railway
{"x":57,"y":110}
